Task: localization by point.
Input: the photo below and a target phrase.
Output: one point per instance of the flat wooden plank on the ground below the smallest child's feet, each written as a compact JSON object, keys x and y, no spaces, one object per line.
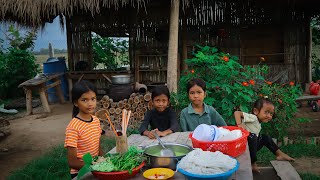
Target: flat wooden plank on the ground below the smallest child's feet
{"x":285,"y":170}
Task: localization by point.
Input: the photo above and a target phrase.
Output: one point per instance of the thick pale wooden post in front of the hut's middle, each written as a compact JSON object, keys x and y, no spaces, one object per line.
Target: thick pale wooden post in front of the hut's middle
{"x":172,"y":75}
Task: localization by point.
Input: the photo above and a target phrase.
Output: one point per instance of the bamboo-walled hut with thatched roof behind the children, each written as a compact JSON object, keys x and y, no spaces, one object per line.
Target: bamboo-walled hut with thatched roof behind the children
{"x":163,"y":33}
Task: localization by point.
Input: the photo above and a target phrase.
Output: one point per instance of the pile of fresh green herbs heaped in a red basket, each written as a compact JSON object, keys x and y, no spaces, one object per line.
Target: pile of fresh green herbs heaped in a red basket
{"x":113,"y":162}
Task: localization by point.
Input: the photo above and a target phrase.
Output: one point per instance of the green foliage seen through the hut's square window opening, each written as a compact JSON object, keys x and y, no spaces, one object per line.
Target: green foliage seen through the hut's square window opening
{"x":111,"y":52}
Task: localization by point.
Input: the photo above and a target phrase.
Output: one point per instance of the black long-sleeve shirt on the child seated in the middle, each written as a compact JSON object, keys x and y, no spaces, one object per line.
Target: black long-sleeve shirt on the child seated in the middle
{"x":161,"y":120}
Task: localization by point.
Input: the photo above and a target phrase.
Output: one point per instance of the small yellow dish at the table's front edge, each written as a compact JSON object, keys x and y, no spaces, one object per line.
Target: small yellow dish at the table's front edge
{"x":158,"y":173}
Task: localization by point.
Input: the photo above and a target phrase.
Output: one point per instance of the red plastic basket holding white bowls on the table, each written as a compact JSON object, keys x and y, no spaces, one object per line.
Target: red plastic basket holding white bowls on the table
{"x":232,"y":148}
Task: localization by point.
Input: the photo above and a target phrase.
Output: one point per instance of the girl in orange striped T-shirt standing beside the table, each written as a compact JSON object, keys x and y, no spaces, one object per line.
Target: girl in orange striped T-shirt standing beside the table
{"x":83,"y":132}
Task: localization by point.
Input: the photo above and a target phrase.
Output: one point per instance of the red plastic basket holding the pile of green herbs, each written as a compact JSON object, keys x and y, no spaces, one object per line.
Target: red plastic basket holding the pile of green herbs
{"x":119,"y":175}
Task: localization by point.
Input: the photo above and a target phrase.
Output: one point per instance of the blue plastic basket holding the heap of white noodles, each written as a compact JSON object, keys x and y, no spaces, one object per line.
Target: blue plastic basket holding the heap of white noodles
{"x":222,"y":176}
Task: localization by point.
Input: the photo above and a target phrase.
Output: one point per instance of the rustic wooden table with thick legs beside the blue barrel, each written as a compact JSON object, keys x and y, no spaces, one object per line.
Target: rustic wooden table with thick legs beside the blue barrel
{"x":39,"y":84}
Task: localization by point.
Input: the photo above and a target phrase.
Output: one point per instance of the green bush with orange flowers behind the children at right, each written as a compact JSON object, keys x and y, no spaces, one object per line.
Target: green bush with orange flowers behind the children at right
{"x":230,"y":86}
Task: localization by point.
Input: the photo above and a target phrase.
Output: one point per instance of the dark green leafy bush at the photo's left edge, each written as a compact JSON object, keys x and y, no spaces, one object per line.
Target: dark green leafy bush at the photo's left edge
{"x":17,"y":63}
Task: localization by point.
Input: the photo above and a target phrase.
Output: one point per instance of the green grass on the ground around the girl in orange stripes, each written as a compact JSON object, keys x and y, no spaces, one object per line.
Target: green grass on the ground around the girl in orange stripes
{"x":52,"y":165}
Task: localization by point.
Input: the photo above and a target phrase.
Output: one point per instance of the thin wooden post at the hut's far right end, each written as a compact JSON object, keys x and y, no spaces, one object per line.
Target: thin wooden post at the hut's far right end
{"x":309,"y":49}
